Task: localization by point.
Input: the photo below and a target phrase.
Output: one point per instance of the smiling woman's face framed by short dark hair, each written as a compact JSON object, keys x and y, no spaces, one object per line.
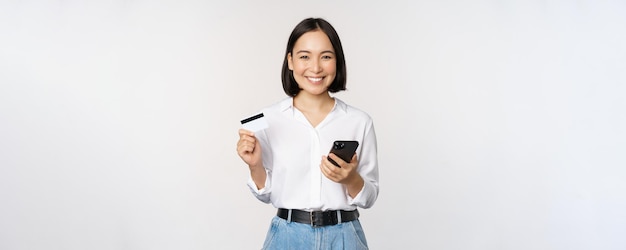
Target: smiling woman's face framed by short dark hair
{"x":313,"y":62}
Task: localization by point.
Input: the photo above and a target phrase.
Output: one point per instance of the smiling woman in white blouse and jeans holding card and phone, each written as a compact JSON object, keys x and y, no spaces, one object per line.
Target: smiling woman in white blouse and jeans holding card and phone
{"x":289,"y":161}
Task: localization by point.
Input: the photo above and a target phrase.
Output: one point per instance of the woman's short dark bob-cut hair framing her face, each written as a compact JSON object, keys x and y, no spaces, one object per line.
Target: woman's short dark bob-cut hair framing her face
{"x":311,"y":24}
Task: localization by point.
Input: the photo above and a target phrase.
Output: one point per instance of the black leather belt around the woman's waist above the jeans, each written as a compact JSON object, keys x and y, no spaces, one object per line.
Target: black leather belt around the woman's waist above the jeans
{"x":318,"y":218}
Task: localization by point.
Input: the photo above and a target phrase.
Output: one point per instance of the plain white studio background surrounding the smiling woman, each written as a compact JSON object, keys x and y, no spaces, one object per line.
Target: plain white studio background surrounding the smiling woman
{"x":501,"y":124}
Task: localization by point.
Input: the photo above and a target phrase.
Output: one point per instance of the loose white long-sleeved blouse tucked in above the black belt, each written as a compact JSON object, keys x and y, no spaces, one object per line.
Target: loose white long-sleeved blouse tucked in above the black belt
{"x":292,"y":150}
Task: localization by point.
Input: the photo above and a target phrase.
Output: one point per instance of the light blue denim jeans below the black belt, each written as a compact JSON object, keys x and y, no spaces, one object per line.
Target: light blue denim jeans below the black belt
{"x":284,"y":235}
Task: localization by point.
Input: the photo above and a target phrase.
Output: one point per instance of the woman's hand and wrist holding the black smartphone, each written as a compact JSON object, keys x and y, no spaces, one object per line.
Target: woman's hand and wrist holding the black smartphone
{"x":345,"y":174}
